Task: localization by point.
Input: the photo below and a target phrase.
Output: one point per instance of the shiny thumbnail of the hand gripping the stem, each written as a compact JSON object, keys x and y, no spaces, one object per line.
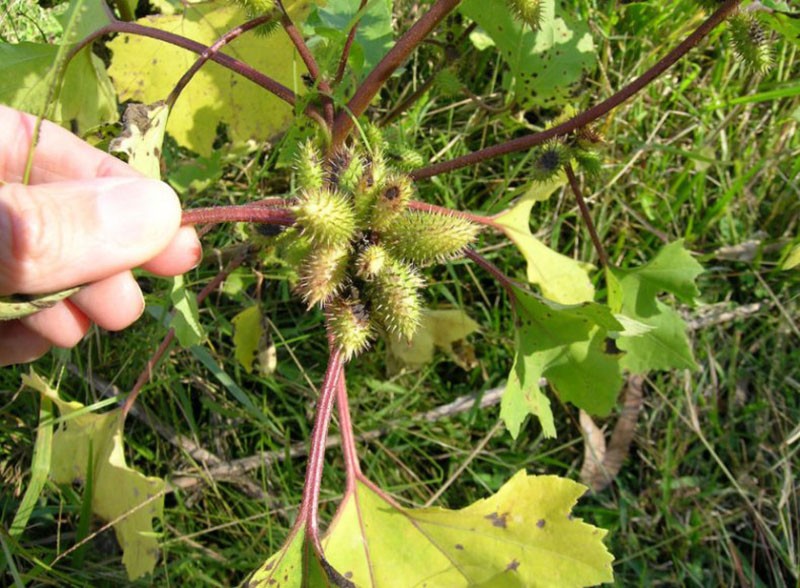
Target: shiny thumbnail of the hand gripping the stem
{"x":136,"y":212}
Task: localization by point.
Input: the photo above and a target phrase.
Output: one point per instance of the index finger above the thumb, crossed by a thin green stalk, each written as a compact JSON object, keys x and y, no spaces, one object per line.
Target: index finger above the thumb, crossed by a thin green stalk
{"x":59,"y":155}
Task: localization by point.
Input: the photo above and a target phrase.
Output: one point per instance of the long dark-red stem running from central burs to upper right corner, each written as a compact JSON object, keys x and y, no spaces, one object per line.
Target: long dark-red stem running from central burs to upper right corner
{"x":588,"y":116}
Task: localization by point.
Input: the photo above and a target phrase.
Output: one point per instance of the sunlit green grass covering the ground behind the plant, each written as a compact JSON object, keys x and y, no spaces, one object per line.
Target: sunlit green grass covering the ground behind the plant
{"x":708,"y":495}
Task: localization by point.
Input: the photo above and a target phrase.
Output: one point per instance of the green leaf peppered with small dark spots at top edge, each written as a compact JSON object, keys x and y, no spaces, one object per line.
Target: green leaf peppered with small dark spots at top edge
{"x":545,"y":64}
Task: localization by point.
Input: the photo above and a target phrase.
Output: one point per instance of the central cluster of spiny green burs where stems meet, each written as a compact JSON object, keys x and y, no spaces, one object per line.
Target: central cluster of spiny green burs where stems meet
{"x":364,"y":245}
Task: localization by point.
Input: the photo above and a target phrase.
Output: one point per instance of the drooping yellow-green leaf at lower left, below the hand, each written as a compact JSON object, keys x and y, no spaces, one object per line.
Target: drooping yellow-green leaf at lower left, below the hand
{"x":120,"y":494}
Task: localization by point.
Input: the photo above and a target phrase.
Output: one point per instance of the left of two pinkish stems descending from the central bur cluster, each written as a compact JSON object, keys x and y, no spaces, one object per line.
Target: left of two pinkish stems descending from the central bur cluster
{"x":308,"y":514}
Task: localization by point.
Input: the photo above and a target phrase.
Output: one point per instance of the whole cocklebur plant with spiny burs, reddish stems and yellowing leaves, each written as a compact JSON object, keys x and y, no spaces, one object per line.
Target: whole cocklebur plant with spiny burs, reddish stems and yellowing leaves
{"x":362,"y":240}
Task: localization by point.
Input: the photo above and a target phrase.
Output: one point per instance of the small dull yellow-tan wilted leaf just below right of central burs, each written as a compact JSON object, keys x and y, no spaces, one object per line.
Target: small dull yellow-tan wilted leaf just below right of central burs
{"x":438,"y":329}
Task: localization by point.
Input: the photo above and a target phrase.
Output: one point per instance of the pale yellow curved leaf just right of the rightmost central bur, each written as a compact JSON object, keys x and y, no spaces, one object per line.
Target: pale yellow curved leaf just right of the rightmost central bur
{"x":560,"y":278}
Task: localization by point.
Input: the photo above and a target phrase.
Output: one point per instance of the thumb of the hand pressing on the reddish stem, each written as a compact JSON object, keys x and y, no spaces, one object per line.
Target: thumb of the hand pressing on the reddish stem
{"x":63,"y":234}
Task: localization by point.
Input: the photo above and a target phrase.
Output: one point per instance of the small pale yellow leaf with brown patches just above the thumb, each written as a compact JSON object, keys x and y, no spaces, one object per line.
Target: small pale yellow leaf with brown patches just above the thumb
{"x":143,"y":136}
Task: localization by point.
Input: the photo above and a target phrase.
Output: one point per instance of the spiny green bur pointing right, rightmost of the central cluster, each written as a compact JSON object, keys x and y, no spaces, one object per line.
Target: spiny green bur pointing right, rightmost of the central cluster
{"x":423,"y":237}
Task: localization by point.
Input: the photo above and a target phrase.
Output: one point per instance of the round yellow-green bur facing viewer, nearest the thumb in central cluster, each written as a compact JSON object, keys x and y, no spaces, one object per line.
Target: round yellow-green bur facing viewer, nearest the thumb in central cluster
{"x":327,"y":217}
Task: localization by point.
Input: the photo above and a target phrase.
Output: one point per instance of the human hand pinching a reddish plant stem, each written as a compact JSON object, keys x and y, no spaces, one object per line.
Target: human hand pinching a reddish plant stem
{"x":86,"y":218}
